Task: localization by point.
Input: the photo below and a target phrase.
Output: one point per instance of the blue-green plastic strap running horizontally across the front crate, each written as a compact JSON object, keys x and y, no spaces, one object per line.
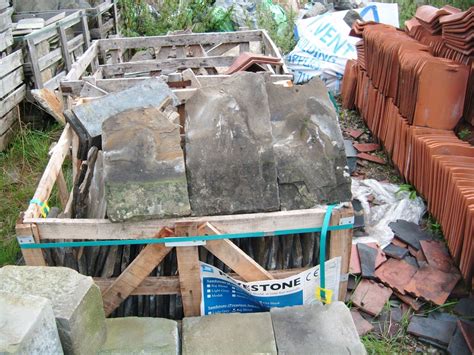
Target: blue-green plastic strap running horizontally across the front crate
{"x":97,"y":243}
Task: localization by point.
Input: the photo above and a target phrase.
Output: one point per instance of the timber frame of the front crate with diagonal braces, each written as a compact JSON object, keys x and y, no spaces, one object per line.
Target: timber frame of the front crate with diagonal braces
{"x":135,"y":279}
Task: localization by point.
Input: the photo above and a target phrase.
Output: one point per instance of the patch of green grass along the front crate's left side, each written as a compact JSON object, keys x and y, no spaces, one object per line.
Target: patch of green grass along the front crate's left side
{"x":21,"y":168}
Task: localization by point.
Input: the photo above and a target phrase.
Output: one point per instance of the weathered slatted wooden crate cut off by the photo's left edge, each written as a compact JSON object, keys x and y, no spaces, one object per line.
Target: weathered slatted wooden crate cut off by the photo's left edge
{"x":12,"y":92}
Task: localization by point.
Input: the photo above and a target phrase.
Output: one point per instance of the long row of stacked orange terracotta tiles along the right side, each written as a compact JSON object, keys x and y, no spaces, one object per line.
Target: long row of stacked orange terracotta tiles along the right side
{"x":411,"y":101}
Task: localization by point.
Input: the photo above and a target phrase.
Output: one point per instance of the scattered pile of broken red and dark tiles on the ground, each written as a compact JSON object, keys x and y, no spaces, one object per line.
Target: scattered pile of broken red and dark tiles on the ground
{"x":395,"y":283}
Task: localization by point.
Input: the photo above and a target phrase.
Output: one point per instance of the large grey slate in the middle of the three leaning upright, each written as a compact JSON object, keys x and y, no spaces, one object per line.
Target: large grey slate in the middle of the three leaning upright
{"x":229,"y":157}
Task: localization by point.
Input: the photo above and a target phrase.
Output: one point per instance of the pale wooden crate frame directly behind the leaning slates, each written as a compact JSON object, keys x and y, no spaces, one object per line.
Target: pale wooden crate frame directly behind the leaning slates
{"x":202,"y":52}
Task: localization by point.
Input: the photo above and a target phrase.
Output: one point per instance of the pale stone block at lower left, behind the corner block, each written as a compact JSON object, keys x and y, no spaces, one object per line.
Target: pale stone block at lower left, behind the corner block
{"x":76,"y":300}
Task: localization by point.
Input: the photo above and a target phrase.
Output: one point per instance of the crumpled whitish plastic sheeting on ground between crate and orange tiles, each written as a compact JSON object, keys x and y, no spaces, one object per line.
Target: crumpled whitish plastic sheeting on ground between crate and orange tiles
{"x":387,"y":206}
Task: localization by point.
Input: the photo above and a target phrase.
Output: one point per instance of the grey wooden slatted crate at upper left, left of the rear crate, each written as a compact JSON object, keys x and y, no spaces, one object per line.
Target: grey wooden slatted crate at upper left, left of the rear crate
{"x":50,"y":52}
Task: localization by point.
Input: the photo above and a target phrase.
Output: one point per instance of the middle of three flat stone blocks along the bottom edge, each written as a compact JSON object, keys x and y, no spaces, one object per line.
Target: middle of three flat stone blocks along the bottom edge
{"x":233,"y":333}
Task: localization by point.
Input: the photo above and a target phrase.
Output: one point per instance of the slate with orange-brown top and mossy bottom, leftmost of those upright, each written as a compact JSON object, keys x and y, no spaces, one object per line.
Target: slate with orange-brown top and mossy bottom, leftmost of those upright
{"x":144,"y":169}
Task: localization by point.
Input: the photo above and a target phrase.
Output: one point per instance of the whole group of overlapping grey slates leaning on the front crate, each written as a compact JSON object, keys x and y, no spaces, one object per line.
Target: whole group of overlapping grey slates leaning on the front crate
{"x":249,"y":146}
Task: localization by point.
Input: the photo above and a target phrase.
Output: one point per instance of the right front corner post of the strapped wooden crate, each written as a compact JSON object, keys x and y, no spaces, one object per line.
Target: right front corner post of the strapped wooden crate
{"x":340,"y":243}
